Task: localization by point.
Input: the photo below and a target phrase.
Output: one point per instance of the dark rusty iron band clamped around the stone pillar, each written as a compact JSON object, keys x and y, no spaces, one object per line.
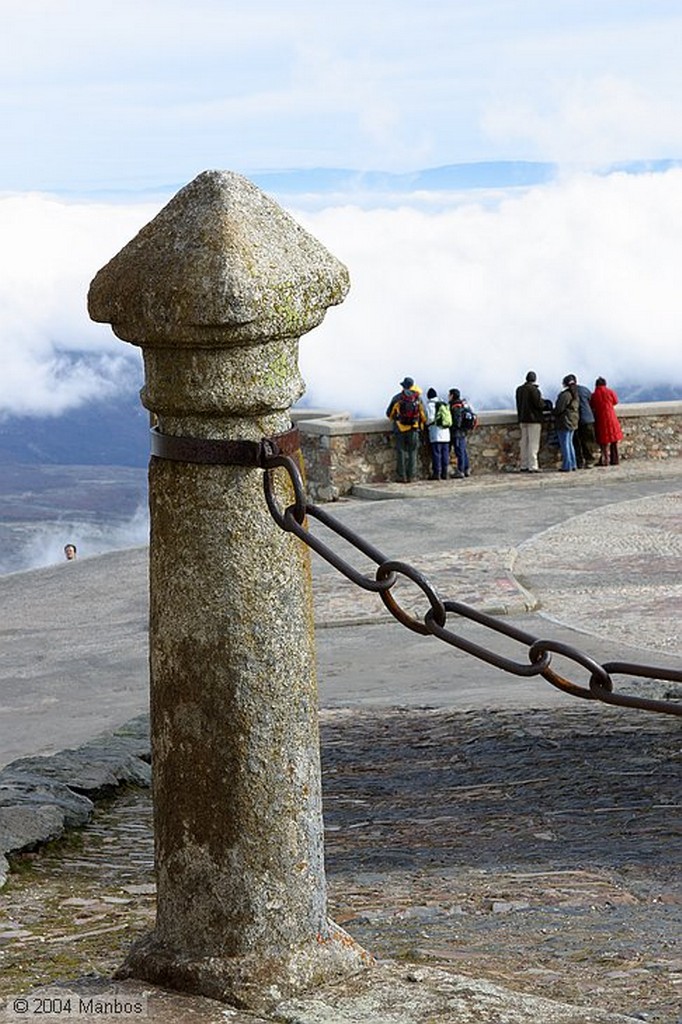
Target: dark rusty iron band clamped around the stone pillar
{"x":224,"y":453}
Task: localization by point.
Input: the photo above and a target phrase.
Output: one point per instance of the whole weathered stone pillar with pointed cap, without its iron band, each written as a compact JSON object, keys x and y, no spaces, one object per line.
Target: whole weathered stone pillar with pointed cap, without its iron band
{"x":217,"y":290}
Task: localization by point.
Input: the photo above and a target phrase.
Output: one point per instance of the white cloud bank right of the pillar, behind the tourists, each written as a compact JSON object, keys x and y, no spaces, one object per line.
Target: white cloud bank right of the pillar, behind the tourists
{"x":578,"y":277}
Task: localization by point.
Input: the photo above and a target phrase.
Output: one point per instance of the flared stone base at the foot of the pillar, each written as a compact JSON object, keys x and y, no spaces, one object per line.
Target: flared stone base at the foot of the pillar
{"x":255,"y":982}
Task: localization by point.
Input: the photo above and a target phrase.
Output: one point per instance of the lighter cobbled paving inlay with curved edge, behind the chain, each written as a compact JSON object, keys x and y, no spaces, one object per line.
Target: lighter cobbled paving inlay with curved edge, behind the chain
{"x":614,"y":572}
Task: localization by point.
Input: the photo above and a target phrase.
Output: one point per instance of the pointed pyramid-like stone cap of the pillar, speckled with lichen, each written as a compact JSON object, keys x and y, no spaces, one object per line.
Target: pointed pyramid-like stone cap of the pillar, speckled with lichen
{"x":222,"y":265}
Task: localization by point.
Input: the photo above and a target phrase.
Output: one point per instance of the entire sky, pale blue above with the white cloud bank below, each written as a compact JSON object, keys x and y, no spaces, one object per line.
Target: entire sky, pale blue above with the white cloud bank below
{"x":107,"y":108}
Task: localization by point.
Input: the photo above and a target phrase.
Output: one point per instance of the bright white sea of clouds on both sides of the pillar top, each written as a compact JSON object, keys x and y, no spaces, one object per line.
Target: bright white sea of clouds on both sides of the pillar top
{"x":468,"y":290}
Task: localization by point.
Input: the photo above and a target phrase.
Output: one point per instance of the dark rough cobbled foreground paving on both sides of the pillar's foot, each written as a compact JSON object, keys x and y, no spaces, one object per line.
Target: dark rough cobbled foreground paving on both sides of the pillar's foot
{"x":537,"y":850}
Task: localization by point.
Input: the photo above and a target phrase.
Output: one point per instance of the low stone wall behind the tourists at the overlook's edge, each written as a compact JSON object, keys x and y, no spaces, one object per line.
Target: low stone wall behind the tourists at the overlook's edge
{"x":340,"y":452}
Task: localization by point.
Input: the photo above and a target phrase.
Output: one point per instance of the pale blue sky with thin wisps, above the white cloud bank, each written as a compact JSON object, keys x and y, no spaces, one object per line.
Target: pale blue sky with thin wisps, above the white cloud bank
{"x":141,"y":94}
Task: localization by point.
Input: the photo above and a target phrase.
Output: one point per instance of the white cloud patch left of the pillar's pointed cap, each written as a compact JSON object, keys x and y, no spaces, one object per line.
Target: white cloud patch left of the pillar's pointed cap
{"x":54,"y":358}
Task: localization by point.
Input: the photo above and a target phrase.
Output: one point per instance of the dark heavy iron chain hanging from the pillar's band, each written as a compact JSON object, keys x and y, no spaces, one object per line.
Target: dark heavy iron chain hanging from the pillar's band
{"x":539,"y":653}
